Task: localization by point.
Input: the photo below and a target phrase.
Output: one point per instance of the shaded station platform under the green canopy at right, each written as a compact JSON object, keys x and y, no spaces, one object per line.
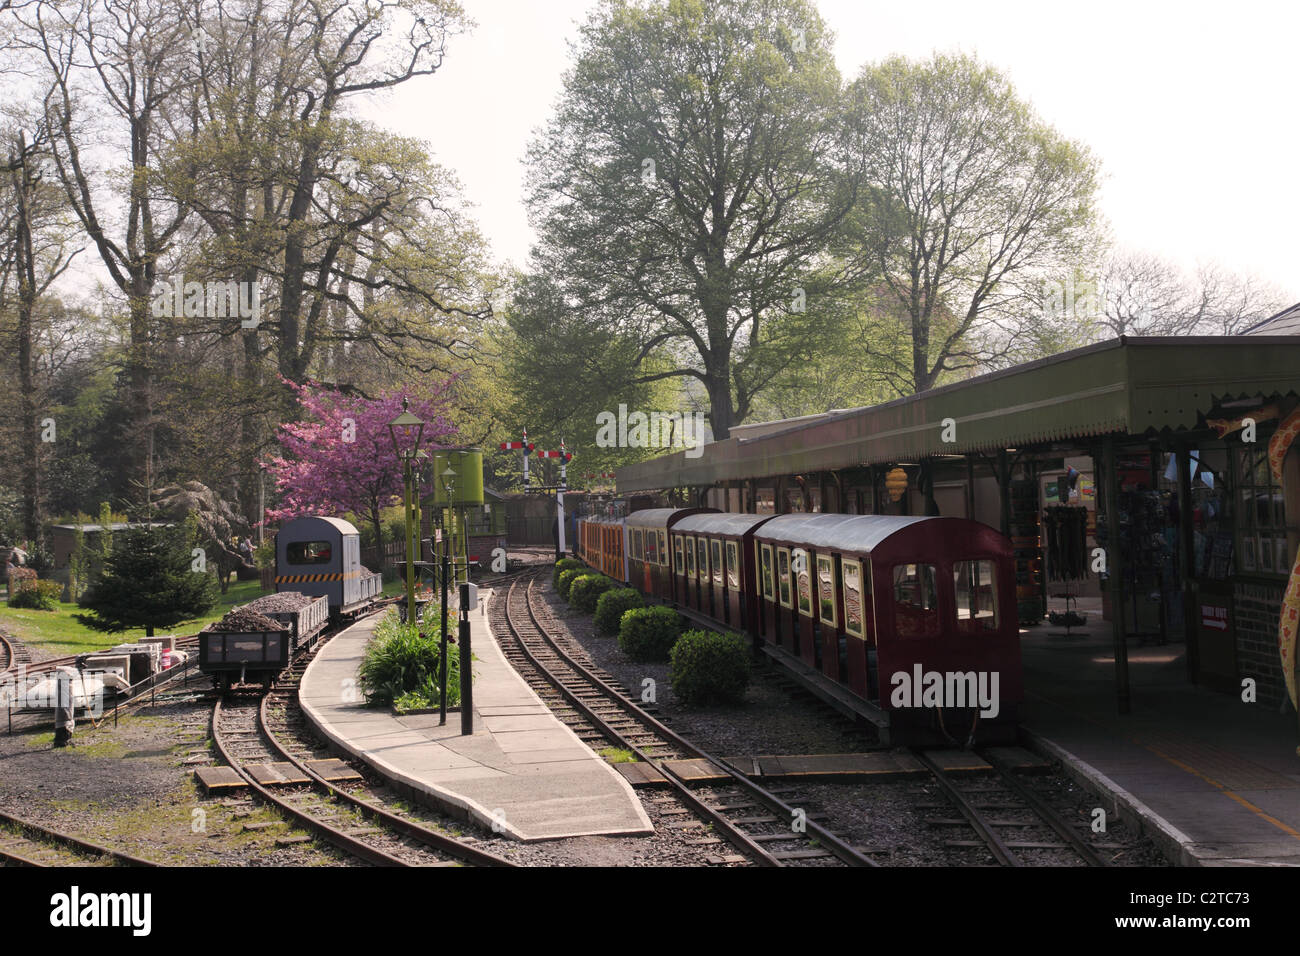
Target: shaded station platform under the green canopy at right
{"x":1211,"y":778}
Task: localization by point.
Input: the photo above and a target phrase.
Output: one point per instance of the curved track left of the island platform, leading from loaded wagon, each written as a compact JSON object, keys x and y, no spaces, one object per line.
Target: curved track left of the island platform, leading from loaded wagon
{"x":268,"y":730}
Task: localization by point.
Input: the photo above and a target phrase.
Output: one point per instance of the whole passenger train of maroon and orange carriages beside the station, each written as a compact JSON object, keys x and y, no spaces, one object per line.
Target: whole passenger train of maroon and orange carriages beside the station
{"x":915,"y":617}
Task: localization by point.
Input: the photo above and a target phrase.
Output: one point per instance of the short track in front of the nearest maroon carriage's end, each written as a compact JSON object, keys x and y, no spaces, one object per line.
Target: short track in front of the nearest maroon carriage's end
{"x":1025,"y":824}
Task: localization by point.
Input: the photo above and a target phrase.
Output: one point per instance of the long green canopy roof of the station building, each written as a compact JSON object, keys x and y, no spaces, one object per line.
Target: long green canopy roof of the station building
{"x":1130,"y":386}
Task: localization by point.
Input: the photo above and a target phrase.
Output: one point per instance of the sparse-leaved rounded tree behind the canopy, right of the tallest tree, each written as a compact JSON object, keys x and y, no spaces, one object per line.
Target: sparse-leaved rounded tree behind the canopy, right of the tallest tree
{"x":973,"y":201}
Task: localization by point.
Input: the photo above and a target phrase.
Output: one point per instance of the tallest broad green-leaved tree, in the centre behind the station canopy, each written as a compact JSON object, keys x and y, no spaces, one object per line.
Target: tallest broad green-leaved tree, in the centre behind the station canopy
{"x":684,"y":191}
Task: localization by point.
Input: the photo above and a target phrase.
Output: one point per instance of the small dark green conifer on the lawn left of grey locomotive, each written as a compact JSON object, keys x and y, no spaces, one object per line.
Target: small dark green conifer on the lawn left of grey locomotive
{"x":150,"y":582}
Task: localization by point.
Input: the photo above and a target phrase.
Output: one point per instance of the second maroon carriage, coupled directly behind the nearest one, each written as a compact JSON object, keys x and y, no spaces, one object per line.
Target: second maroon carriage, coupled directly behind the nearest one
{"x":725,"y":568}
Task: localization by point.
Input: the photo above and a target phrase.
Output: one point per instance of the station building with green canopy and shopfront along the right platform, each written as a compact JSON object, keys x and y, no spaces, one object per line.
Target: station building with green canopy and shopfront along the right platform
{"x":1159,"y":443}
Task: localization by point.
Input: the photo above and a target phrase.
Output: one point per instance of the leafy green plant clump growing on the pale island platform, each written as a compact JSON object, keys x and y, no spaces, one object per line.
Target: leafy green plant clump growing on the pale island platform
{"x":401,"y":667}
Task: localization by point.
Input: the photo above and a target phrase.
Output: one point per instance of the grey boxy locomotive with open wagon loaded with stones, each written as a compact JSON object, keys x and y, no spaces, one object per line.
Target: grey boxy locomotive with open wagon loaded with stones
{"x":319,"y":579}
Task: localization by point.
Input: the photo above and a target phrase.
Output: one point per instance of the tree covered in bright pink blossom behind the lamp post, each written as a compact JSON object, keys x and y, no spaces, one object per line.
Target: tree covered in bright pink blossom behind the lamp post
{"x":340,"y":458}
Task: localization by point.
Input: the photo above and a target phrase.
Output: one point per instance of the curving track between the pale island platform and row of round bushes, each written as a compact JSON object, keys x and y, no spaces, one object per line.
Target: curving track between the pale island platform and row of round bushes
{"x":768,"y":830}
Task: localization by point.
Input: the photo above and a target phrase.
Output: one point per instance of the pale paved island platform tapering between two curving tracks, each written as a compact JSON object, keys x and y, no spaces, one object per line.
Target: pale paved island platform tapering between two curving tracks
{"x":522,"y":772}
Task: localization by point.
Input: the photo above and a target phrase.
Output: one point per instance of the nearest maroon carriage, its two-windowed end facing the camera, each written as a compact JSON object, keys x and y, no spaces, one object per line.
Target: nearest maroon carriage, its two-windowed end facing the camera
{"x":879,"y":603}
